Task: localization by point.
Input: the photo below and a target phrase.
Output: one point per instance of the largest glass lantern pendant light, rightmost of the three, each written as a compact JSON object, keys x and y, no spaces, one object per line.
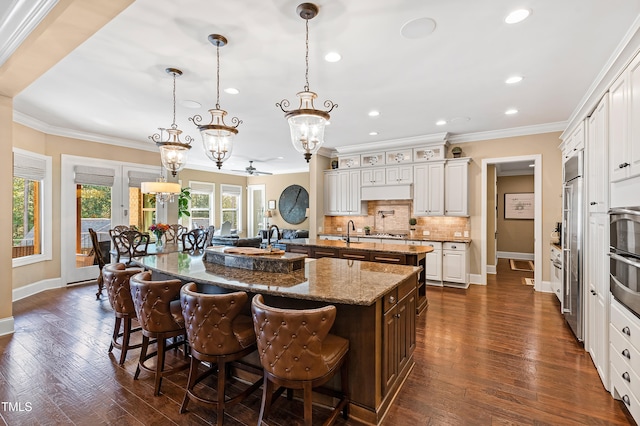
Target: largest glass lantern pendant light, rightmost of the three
{"x":307,"y":123}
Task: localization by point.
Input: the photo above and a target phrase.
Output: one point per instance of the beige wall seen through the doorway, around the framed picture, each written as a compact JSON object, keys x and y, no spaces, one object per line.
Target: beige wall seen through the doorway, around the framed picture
{"x":514,"y":235}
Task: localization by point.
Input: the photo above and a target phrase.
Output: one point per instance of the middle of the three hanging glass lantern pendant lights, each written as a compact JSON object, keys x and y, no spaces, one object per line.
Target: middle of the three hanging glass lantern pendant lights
{"x":217,"y":137}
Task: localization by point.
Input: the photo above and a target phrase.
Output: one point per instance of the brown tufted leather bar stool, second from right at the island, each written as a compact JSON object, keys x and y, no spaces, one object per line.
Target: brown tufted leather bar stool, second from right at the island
{"x":218,"y":335}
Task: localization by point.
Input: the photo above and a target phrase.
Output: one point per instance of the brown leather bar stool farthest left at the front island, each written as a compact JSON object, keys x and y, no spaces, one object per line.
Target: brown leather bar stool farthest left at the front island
{"x":116,"y":278}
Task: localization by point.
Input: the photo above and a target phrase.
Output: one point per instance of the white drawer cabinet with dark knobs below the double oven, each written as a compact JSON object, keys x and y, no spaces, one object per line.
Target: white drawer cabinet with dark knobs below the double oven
{"x":624,"y":353}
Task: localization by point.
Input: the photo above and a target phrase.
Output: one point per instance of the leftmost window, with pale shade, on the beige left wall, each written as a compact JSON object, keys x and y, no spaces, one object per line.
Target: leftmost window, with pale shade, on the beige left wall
{"x":31,"y":225}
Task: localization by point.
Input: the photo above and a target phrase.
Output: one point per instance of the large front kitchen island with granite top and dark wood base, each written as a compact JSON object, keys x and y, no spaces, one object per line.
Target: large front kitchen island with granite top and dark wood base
{"x":375,"y":304}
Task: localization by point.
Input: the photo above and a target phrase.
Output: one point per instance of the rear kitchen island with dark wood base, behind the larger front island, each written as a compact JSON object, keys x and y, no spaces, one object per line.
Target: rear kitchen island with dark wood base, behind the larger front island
{"x":398,"y":254}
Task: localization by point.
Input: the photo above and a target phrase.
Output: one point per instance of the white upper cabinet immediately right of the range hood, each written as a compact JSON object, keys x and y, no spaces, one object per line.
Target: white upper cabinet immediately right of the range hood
{"x":428,"y":192}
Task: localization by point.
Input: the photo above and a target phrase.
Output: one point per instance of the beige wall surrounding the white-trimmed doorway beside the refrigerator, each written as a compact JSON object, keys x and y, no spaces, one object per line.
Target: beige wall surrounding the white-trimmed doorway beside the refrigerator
{"x":544,"y":144}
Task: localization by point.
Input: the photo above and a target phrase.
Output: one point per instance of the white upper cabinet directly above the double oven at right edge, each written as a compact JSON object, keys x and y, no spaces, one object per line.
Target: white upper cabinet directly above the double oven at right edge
{"x":624,"y":127}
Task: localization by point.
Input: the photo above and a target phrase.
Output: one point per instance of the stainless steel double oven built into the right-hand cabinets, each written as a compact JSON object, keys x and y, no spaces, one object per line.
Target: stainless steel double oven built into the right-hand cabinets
{"x":624,"y":254}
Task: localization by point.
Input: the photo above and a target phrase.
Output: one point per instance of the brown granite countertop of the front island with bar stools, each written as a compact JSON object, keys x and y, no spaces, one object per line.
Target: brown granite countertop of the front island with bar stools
{"x":327,"y":280}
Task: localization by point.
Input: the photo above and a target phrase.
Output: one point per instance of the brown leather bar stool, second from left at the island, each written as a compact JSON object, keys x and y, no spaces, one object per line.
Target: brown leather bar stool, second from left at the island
{"x":158,"y":308}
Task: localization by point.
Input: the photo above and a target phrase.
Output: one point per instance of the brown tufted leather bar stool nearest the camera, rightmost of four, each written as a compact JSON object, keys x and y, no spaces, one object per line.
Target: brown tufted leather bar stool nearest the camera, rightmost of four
{"x":297,"y":352}
